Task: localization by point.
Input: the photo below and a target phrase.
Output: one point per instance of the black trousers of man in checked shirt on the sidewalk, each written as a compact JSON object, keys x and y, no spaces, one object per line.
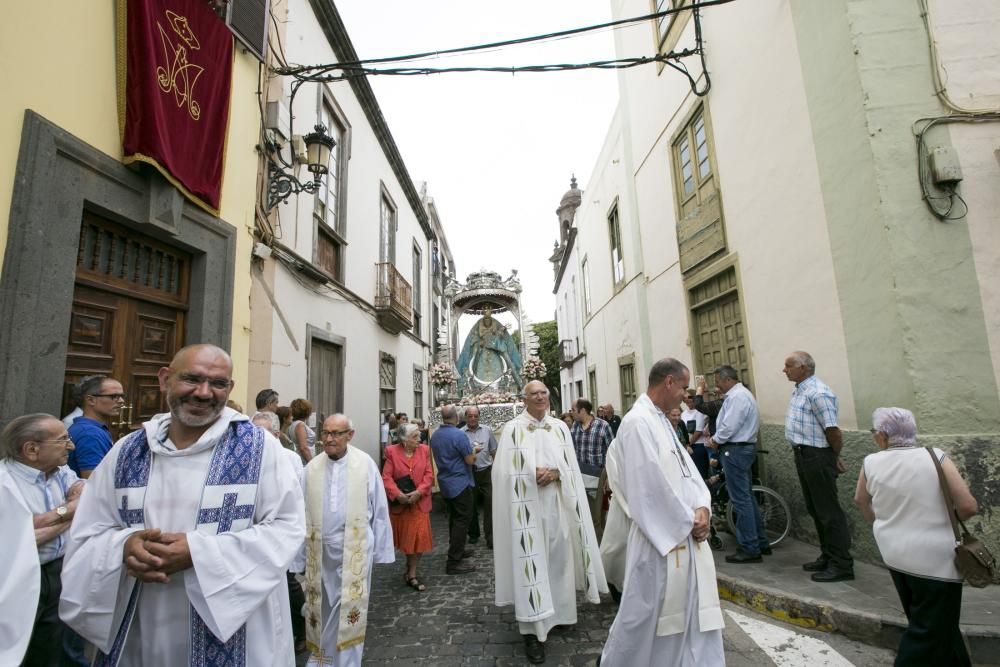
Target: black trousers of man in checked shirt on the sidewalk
{"x":817,"y":468}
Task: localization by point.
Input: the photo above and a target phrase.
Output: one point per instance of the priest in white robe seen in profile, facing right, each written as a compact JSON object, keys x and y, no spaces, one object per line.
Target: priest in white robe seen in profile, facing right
{"x":669,"y":612}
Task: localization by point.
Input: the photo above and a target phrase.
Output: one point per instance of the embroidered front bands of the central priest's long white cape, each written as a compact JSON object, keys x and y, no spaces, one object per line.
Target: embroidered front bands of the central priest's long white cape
{"x":532,"y":595}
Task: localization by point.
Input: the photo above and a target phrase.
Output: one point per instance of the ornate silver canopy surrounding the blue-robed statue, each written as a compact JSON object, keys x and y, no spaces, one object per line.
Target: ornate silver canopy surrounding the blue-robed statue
{"x":488,"y":361}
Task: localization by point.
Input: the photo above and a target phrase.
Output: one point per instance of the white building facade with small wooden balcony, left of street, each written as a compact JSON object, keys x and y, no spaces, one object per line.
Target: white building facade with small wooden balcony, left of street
{"x":343,"y":297}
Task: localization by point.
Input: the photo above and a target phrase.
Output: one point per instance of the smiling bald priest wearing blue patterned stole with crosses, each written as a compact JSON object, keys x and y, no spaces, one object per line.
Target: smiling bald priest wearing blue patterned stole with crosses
{"x":178,"y":552}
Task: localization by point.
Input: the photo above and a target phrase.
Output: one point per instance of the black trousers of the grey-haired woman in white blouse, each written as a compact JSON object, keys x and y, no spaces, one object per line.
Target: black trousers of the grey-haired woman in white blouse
{"x":932,"y":608}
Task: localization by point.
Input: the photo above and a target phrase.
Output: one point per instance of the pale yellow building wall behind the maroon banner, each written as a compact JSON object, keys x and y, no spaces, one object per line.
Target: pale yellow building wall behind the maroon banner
{"x":59,"y":61}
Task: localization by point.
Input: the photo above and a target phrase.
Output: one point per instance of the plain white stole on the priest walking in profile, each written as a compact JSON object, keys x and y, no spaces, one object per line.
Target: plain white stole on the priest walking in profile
{"x":673,"y":616}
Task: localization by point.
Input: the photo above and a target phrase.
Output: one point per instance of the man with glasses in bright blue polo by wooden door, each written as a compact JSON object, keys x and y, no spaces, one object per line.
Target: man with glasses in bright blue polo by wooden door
{"x":101,"y":399}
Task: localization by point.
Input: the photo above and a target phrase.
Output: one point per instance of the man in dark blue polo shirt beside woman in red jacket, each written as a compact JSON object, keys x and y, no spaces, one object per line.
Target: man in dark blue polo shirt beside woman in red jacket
{"x":454,"y":456}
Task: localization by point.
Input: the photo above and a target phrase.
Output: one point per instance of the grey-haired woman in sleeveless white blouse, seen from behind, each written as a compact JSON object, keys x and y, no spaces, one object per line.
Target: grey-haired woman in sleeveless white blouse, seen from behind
{"x":898,"y":490}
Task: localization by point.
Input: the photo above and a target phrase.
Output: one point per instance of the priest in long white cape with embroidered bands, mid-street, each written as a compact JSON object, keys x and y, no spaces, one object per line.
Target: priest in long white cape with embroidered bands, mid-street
{"x":544,"y":544}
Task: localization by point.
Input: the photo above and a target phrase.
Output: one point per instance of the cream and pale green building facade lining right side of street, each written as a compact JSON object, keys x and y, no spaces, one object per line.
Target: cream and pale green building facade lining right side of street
{"x":780,"y":202}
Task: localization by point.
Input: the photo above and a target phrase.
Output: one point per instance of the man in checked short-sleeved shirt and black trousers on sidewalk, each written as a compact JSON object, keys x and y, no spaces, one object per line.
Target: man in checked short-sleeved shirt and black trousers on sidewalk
{"x":811,"y":429}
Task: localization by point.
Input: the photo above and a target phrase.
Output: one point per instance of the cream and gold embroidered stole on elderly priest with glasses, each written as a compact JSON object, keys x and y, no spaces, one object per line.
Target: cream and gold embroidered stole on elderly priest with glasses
{"x":355,"y":564}
